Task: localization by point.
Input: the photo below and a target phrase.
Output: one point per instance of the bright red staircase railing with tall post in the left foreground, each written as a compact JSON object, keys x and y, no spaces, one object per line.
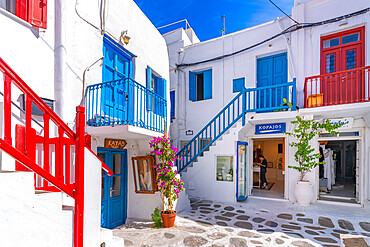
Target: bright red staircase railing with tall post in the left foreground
{"x":49,"y":157}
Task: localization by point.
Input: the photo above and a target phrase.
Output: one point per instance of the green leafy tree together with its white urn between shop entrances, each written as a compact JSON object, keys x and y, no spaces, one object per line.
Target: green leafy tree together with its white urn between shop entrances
{"x":306,"y":156}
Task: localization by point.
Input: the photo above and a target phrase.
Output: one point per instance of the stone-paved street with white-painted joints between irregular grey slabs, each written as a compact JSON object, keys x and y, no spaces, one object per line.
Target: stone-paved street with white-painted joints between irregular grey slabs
{"x":261,"y":223}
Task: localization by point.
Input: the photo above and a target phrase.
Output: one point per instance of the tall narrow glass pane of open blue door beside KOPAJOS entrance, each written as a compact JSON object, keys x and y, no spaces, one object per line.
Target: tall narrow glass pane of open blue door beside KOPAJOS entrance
{"x":242,"y":171}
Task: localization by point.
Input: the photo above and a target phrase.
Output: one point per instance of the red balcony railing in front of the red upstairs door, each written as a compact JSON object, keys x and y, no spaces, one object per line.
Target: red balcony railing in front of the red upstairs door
{"x":345,"y":87}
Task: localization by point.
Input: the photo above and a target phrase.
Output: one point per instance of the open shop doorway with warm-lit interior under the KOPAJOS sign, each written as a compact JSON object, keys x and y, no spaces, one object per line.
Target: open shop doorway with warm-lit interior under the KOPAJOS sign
{"x":273,"y":151}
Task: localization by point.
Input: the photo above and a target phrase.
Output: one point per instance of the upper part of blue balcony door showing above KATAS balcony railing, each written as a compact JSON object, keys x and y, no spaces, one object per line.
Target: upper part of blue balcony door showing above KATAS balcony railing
{"x":117,"y":62}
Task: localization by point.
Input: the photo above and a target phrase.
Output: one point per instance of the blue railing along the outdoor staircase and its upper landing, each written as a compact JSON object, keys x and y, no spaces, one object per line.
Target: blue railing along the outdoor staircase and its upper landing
{"x":262,"y":99}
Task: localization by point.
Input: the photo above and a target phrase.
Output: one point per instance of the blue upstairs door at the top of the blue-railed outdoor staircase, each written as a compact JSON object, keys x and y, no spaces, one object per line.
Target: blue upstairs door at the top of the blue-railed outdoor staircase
{"x":272,"y":70}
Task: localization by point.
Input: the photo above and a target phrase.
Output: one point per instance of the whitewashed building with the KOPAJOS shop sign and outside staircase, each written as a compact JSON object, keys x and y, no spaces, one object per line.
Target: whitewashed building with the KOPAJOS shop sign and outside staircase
{"x":235,"y":95}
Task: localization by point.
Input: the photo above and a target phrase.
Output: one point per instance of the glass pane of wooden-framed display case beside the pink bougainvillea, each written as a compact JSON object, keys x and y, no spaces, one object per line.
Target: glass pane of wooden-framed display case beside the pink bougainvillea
{"x":143,"y":175}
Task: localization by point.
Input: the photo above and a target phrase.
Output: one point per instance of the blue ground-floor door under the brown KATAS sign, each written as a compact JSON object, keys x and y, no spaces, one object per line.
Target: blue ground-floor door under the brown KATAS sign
{"x":114,"y":188}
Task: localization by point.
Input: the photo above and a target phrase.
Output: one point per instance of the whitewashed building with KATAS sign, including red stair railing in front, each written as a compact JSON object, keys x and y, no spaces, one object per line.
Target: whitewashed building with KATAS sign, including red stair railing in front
{"x":109,"y":58}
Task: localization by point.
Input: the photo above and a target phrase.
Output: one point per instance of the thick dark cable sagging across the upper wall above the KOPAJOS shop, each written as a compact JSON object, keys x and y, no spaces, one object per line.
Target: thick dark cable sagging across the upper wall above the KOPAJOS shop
{"x":290,"y":29}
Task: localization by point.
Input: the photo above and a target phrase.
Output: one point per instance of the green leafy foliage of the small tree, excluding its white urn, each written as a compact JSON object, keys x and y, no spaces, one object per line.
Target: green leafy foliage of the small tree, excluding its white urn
{"x":305,"y":155}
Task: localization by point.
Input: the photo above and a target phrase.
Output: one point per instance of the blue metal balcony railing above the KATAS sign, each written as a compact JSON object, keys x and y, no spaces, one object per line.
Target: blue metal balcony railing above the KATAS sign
{"x":125,"y":101}
